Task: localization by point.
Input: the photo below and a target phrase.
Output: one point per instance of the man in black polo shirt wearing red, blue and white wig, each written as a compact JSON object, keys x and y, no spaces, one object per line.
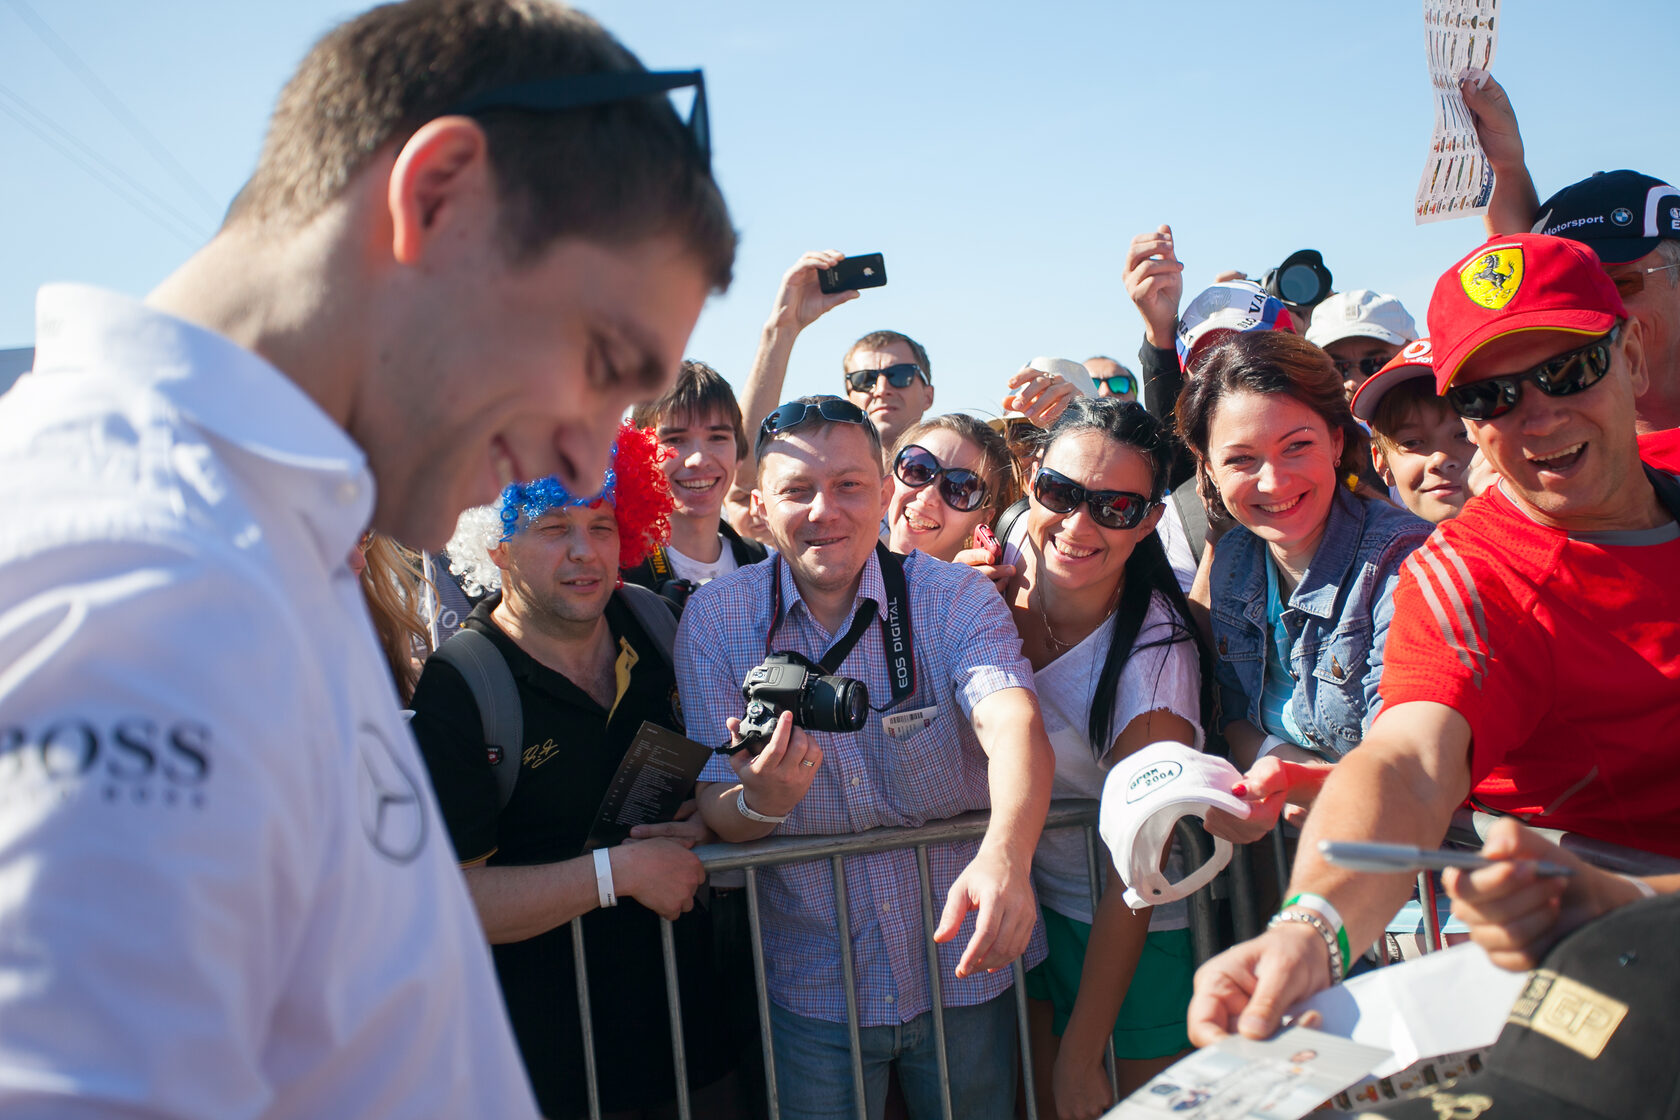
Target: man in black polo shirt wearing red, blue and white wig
{"x":587,"y":674}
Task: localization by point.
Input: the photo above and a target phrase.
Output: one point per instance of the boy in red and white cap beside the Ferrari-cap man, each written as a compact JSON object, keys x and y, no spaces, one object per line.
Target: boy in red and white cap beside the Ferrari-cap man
{"x":1419,"y":444}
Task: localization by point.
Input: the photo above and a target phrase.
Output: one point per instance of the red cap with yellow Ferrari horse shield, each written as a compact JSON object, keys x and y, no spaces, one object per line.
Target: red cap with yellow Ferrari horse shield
{"x":1518,"y":283}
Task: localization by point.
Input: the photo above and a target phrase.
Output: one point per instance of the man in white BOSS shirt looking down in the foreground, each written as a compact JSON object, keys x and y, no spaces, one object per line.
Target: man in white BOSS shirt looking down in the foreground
{"x":224,"y":884}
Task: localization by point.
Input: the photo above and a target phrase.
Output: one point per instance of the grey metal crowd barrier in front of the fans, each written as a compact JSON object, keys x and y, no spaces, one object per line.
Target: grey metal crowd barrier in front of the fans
{"x":779,"y":850}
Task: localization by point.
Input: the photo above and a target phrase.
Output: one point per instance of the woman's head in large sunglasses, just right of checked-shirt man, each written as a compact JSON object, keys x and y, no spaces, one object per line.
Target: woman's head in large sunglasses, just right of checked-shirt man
{"x":950,"y":476}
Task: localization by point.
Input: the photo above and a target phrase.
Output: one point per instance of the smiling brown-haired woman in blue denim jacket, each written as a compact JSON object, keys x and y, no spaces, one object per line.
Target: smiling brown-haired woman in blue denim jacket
{"x":1303,"y":589}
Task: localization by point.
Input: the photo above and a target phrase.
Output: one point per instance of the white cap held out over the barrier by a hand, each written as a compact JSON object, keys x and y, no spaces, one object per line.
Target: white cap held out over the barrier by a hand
{"x":1145,"y":797}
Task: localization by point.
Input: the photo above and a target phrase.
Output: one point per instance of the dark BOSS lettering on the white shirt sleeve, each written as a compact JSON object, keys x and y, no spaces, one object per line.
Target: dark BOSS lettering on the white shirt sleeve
{"x":135,"y":760}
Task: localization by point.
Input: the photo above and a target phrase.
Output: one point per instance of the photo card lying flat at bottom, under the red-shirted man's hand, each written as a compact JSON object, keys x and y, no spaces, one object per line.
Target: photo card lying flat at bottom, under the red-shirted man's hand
{"x":1239,"y":1079}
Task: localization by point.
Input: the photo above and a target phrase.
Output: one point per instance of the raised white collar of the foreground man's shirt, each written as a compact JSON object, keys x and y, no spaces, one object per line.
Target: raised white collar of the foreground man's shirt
{"x":224,"y":389}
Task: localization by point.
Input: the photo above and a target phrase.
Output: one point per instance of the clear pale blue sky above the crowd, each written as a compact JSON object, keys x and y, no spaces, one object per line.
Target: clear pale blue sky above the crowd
{"x":1000,"y":155}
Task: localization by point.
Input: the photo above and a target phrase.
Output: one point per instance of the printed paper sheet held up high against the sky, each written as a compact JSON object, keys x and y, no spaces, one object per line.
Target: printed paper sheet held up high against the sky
{"x":1459,"y":36}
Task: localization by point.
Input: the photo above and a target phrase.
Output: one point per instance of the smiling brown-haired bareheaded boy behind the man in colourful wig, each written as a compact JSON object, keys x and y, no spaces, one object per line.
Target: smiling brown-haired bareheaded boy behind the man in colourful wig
{"x":700,"y":424}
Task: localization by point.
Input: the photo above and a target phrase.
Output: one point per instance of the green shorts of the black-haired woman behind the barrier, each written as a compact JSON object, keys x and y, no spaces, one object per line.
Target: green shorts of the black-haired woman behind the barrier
{"x":1152,"y":1023}
